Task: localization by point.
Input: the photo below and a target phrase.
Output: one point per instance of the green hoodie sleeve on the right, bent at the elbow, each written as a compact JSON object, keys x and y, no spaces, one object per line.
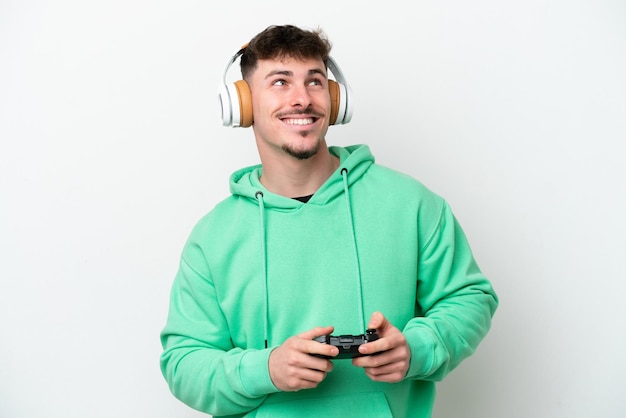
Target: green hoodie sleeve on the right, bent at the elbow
{"x":456,"y":301}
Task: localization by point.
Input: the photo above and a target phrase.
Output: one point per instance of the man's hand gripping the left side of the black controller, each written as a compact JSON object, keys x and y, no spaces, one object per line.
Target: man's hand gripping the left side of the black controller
{"x":291,"y":365}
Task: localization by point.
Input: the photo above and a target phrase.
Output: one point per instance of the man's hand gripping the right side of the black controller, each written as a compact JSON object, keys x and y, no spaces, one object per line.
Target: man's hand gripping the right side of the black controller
{"x":393,"y":355}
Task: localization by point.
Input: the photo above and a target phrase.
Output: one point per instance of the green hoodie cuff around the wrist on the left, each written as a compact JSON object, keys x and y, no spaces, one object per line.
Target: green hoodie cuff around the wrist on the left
{"x":255,"y":374}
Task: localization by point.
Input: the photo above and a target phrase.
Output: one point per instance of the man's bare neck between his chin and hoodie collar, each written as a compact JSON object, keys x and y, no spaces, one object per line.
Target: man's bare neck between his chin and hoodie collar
{"x":292,"y":177}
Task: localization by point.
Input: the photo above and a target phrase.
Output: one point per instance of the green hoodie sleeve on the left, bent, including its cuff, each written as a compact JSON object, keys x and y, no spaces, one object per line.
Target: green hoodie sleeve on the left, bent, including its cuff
{"x":199,"y":362}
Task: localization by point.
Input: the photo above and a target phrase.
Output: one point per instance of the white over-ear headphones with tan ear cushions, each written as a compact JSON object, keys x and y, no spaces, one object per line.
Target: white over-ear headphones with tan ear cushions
{"x":235,"y":98}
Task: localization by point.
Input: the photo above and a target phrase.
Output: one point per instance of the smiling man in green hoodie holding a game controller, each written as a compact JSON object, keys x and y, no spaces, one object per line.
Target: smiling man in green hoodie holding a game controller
{"x":318,"y":241}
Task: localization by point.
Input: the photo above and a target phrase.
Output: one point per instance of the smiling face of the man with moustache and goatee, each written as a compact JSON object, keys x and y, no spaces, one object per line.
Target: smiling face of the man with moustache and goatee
{"x":291,"y":106}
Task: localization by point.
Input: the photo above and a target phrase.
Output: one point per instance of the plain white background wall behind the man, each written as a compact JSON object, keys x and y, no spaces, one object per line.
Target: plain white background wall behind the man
{"x":111,"y":149}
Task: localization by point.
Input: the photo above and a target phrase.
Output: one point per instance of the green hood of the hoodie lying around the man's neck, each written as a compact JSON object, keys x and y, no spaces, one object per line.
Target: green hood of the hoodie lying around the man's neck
{"x":356,"y":159}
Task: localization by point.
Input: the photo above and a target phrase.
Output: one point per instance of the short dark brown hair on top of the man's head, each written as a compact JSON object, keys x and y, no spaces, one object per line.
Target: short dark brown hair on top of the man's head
{"x":284,"y":41}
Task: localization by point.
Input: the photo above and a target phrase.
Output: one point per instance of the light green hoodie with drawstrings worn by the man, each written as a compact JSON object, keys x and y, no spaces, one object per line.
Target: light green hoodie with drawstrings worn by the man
{"x":262,"y":267}
